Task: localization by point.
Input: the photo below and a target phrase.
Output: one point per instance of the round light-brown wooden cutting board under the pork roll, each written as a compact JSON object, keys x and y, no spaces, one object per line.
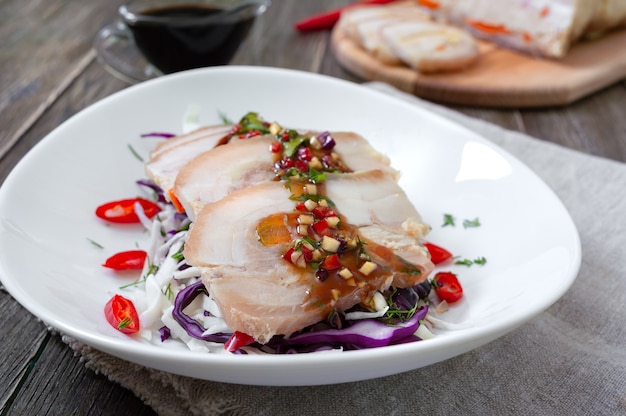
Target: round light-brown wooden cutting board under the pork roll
{"x":501,"y":77}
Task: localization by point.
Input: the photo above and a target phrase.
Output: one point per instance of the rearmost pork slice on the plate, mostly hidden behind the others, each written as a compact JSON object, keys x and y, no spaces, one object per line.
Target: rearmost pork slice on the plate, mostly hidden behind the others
{"x":169,"y":156}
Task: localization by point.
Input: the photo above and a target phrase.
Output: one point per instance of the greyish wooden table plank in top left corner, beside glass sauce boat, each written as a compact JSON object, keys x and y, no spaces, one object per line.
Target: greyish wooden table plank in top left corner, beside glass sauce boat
{"x":45,"y":45}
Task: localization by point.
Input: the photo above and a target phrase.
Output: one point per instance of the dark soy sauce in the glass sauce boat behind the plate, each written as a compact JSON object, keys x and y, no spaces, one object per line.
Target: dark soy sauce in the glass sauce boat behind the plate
{"x":178,"y":44}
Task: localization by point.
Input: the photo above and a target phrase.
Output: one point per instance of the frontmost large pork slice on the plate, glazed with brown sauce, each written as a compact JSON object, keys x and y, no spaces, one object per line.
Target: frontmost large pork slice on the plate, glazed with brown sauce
{"x":262,"y":294}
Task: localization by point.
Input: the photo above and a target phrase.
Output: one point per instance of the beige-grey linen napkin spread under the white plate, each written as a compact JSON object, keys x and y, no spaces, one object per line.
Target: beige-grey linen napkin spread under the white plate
{"x":569,"y":360}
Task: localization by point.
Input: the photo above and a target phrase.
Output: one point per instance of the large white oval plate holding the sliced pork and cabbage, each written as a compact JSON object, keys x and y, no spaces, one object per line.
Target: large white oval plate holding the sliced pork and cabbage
{"x":47,"y":217}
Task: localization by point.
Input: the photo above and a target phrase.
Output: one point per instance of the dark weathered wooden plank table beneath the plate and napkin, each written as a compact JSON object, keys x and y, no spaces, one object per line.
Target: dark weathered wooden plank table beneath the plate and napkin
{"x":49,"y":72}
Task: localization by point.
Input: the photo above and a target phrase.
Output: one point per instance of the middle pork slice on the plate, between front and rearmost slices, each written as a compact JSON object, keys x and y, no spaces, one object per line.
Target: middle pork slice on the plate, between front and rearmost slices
{"x":241,"y":163}
